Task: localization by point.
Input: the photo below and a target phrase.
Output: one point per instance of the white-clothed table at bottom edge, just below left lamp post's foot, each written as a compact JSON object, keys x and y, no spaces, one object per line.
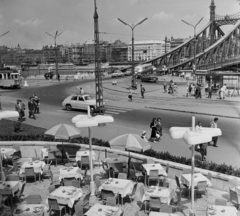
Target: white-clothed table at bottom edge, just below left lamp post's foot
{"x":101,"y":210}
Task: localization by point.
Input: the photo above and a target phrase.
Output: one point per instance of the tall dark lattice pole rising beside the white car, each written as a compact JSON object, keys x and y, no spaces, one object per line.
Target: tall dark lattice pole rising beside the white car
{"x":98,"y":73}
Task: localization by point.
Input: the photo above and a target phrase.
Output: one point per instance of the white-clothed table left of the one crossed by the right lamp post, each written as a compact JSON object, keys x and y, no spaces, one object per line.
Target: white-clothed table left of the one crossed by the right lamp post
{"x":165,"y":194}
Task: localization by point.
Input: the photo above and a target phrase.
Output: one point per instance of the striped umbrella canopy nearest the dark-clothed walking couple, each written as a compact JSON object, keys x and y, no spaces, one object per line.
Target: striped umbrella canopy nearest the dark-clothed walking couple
{"x":131,"y":142}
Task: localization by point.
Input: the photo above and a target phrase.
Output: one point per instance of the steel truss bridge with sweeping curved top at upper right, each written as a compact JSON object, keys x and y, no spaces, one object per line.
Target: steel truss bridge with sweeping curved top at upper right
{"x":214,"y":49}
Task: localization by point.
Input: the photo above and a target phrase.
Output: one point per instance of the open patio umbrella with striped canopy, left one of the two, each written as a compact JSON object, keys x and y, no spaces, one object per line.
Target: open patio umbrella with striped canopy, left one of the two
{"x":63,"y":131}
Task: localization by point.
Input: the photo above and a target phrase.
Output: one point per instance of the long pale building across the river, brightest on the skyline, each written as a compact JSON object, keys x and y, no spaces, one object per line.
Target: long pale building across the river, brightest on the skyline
{"x":147,"y":49}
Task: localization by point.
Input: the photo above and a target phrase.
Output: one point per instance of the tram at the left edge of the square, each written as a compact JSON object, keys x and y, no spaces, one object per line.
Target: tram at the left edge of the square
{"x":10,"y":78}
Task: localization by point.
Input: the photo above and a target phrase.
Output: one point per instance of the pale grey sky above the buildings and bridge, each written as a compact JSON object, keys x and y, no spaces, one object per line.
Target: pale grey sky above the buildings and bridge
{"x":28,"y":20}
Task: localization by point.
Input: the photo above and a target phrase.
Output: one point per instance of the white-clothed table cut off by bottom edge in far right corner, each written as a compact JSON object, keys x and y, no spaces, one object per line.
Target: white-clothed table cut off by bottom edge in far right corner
{"x":221,"y":210}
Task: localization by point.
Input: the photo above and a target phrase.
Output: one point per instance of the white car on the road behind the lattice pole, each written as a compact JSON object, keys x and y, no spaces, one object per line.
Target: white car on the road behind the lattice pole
{"x":79,"y":102}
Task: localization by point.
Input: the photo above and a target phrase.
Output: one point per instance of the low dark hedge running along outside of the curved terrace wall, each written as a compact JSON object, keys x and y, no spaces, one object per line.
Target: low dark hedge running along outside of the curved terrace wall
{"x":222,"y":168}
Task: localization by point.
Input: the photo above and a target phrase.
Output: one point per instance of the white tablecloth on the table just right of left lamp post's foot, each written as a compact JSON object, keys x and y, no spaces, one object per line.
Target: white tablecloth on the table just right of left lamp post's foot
{"x":120,"y":186}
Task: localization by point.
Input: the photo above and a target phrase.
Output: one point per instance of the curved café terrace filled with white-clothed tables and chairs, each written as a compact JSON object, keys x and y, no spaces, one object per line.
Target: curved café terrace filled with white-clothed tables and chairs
{"x":107,"y":164}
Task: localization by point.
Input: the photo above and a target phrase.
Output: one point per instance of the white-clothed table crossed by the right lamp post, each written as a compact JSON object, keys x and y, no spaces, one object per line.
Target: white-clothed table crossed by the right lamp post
{"x":186,"y":179}
